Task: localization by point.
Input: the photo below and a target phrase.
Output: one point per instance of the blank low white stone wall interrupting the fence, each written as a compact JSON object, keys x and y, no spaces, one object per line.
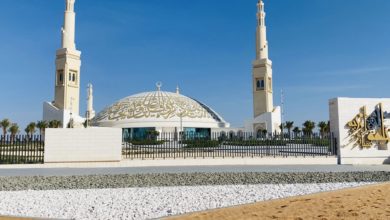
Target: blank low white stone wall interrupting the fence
{"x":83,"y":145}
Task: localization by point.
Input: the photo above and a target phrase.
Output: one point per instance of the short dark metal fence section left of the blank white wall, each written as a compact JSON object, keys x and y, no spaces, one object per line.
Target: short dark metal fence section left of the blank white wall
{"x":21,"y":149}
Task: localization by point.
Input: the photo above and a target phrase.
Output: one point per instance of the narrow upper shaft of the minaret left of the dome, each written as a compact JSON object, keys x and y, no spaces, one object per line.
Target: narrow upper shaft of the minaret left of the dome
{"x":68,"y":30}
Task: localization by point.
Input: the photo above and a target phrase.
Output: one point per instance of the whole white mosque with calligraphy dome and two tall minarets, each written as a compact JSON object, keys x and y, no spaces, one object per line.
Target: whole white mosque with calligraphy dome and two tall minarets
{"x":157,"y":110}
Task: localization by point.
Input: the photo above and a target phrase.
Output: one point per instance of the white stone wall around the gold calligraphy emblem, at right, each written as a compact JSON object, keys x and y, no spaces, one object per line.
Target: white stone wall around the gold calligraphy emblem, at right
{"x":343,"y":110}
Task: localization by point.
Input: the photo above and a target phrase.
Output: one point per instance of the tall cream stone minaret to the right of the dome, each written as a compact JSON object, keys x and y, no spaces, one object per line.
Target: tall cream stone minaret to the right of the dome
{"x":262,"y":68}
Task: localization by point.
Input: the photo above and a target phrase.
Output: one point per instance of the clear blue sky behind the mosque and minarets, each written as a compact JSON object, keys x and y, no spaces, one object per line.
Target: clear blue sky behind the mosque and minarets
{"x":320,"y":49}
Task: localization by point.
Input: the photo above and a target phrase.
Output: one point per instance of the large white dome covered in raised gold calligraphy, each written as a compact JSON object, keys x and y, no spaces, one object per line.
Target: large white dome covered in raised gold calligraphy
{"x":159,"y":109}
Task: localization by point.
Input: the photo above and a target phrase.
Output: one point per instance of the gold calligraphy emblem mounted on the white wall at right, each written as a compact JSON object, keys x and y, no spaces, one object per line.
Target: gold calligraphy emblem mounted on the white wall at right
{"x":369,"y":130}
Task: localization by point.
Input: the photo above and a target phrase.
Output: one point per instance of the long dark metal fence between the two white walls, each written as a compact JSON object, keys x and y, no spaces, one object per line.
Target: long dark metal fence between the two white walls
{"x":231,"y":145}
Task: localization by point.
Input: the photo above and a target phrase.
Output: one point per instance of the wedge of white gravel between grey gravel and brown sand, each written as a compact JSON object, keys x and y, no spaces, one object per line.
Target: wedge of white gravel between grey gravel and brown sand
{"x":146,"y":203}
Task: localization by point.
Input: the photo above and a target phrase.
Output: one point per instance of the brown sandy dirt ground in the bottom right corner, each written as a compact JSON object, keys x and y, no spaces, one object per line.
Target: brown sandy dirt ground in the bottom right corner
{"x":368,"y":202}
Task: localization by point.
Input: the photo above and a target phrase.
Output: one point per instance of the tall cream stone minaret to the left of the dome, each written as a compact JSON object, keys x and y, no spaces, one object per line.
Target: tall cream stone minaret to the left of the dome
{"x":68,"y":62}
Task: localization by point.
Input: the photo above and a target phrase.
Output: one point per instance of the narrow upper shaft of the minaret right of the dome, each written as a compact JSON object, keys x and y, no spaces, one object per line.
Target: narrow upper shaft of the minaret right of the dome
{"x":261,"y":33}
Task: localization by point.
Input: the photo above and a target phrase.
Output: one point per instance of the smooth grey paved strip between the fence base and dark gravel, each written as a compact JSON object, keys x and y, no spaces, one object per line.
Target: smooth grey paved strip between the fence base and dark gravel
{"x":188,"y":169}
